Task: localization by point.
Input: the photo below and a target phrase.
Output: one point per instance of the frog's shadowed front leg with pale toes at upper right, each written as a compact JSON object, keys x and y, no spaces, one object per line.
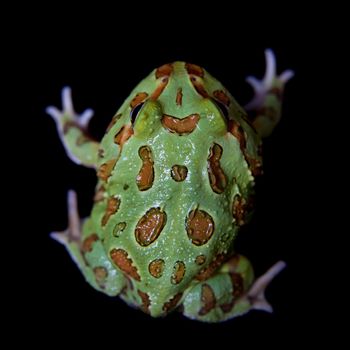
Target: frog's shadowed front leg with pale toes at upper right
{"x":267,"y":102}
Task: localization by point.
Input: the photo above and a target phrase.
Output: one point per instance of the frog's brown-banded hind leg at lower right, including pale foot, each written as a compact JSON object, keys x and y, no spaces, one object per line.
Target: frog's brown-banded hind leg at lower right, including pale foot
{"x":230,"y":292}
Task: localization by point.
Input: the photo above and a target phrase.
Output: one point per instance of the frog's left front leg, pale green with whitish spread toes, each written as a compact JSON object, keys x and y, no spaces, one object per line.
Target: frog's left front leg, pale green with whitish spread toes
{"x":72,"y":129}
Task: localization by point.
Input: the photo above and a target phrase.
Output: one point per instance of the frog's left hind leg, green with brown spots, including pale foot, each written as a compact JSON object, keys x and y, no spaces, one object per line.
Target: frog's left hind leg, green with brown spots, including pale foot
{"x":86,"y":249}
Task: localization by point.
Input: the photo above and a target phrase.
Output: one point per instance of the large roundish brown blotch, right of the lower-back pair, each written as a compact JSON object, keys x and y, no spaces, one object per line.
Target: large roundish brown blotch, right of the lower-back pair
{"x":199,"y":226}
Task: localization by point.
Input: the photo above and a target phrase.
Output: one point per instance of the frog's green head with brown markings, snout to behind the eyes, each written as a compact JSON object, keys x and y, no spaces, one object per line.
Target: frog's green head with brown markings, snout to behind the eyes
{"x":181,"y":97}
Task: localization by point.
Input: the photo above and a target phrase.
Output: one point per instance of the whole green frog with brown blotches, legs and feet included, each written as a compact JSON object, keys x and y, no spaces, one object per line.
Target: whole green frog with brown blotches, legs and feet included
{"x":176,"y":173}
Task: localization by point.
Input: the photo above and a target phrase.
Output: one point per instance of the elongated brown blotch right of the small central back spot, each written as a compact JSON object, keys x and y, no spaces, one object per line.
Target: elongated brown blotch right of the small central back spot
{"x":217,"y":177}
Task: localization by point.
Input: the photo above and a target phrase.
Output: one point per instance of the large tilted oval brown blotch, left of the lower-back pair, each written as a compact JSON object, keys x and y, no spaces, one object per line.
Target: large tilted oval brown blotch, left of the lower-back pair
{"x":150,"y":226}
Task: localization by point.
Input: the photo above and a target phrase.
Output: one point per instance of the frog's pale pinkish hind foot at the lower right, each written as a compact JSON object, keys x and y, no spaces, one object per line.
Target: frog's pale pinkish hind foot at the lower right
{"x":256,"y":293}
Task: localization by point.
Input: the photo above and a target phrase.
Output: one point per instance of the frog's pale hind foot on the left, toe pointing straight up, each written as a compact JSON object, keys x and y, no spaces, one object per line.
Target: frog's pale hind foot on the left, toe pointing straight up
{"x":73,"y":232}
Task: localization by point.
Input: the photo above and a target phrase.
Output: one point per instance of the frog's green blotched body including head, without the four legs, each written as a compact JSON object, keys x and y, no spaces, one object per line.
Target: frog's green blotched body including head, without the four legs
{"x":177,"y":167}
